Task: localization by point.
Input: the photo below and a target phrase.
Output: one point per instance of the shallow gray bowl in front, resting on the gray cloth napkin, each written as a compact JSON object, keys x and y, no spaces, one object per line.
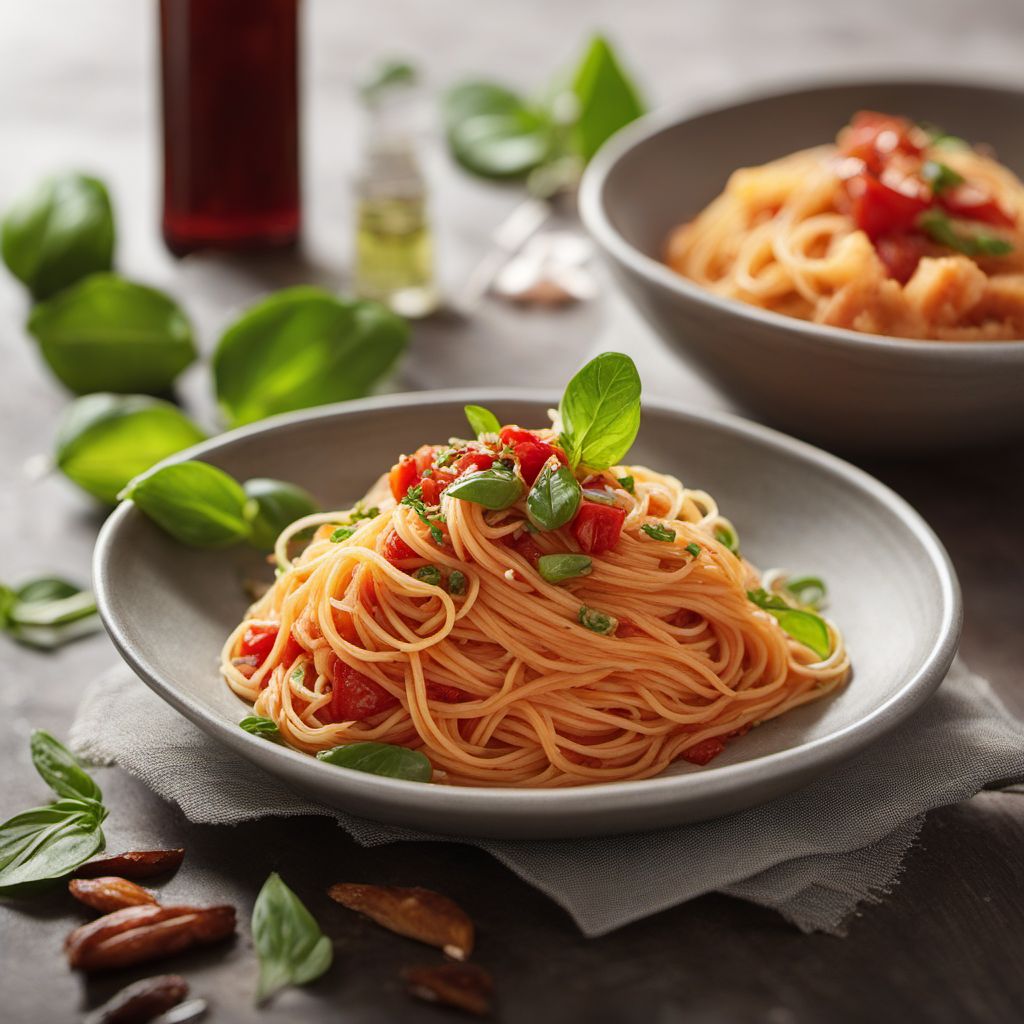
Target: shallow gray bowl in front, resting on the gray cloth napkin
{"x":169,"y":609}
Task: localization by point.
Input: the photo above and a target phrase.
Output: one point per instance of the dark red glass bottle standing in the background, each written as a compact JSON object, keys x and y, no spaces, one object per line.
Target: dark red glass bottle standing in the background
{"x":230,"y":79}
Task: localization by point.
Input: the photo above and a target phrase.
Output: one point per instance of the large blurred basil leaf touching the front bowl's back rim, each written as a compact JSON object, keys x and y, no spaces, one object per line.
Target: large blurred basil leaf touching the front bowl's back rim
{"x":304,"y":348}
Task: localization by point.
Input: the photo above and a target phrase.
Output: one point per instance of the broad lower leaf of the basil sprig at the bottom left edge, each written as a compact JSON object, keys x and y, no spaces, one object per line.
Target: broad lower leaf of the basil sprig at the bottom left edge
{"x":48,"y":843}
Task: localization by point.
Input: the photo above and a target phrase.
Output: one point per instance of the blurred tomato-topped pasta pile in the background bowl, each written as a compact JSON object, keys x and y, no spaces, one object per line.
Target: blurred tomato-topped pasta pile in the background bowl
{"x":898,"y":231}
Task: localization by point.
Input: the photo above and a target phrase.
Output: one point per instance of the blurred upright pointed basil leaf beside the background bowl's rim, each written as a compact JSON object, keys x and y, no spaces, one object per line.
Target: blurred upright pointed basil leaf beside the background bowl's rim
{"x":608,"y":99}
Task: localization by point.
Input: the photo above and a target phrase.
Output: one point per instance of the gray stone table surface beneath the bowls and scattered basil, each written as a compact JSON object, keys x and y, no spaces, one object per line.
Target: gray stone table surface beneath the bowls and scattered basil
{"x":78,"y":90}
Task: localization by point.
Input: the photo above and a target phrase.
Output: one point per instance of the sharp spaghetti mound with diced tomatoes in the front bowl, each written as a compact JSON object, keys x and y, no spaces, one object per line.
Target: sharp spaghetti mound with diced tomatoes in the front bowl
{"x":514,"y":653}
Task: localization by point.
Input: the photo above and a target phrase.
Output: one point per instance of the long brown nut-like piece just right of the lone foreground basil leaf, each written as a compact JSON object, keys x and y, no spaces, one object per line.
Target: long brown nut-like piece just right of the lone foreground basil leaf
{"x":417,"y":914}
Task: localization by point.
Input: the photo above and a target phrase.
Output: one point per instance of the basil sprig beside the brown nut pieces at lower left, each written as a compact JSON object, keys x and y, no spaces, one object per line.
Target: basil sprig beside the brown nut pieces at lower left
{"x":45,"y":844}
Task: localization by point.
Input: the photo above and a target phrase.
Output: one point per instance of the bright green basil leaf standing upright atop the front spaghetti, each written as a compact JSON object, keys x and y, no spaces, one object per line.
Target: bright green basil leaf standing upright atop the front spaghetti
{"x":601,"y":411}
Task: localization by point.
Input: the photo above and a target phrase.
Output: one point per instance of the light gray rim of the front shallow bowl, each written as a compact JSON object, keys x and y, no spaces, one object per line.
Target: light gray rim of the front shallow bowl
{"x":602,"y":798}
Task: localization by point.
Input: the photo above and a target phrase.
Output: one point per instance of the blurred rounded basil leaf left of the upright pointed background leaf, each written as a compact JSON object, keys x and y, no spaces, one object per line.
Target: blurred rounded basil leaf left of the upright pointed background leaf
{"x":494,"y":133}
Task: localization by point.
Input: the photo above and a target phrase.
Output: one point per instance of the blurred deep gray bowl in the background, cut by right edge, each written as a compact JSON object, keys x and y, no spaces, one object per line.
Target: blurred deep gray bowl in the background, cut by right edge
{"x":836,"y":388}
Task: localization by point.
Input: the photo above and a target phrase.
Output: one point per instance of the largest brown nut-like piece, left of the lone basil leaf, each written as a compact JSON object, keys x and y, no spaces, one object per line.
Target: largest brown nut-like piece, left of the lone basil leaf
{"x":143,"y":933}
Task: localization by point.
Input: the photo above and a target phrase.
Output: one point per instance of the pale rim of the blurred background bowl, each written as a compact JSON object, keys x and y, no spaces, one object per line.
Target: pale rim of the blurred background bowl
{"x":599,"y":224}
